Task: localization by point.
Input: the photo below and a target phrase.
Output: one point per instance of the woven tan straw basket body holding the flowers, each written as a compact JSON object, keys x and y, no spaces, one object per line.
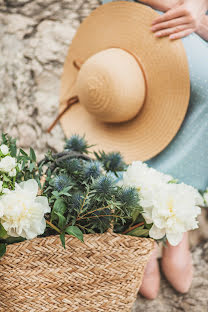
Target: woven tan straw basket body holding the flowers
{"x":102,"y":274}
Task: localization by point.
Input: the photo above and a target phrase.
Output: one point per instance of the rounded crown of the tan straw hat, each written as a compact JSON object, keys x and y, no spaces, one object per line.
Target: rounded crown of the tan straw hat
{"x":111,"y":85}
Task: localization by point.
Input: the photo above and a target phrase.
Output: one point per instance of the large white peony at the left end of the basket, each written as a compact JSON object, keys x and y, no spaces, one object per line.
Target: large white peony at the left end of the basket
{"x":22,"y":211}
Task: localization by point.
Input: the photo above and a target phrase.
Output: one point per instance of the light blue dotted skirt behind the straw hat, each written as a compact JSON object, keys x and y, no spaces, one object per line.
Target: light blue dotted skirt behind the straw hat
{"x":186,"y":157}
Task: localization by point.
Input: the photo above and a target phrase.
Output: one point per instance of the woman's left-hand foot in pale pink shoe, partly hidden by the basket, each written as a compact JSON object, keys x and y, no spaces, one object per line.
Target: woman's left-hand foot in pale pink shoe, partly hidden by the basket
{"x":151,"y":280}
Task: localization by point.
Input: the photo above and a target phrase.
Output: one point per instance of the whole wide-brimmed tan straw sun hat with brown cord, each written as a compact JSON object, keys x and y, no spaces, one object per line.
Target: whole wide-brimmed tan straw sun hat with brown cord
{"x":131,"y":89}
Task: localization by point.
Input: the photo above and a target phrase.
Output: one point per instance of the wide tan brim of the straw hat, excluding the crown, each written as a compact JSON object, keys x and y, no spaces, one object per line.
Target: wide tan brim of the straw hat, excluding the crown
{"x":127,"y":25}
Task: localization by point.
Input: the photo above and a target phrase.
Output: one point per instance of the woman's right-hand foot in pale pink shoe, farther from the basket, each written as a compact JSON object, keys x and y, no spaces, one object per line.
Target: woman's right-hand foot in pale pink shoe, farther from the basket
{"x":177,"y":265}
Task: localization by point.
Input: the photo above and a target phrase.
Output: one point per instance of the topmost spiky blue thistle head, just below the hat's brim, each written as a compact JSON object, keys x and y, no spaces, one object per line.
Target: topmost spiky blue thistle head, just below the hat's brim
{"x":77,"y":144}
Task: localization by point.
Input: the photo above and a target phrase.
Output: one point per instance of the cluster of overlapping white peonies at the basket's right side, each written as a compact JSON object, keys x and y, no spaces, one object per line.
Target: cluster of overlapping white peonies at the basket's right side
{"x":172,"y":208}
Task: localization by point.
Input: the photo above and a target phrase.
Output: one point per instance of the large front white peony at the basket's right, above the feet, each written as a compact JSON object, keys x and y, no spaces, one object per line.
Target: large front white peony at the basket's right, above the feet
{"x":174,"y":212}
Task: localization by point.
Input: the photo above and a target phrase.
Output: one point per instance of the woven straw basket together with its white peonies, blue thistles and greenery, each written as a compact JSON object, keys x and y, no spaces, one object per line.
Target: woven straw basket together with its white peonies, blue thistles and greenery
{"x":76,"y":231}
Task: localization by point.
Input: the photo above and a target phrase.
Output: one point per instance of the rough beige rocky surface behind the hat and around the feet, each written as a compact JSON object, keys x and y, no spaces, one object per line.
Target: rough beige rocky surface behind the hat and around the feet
{"x":34,"y":39}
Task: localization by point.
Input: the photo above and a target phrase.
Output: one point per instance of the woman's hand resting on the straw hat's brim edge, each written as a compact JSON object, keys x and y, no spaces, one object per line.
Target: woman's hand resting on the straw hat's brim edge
{"x":181,"y":20}
